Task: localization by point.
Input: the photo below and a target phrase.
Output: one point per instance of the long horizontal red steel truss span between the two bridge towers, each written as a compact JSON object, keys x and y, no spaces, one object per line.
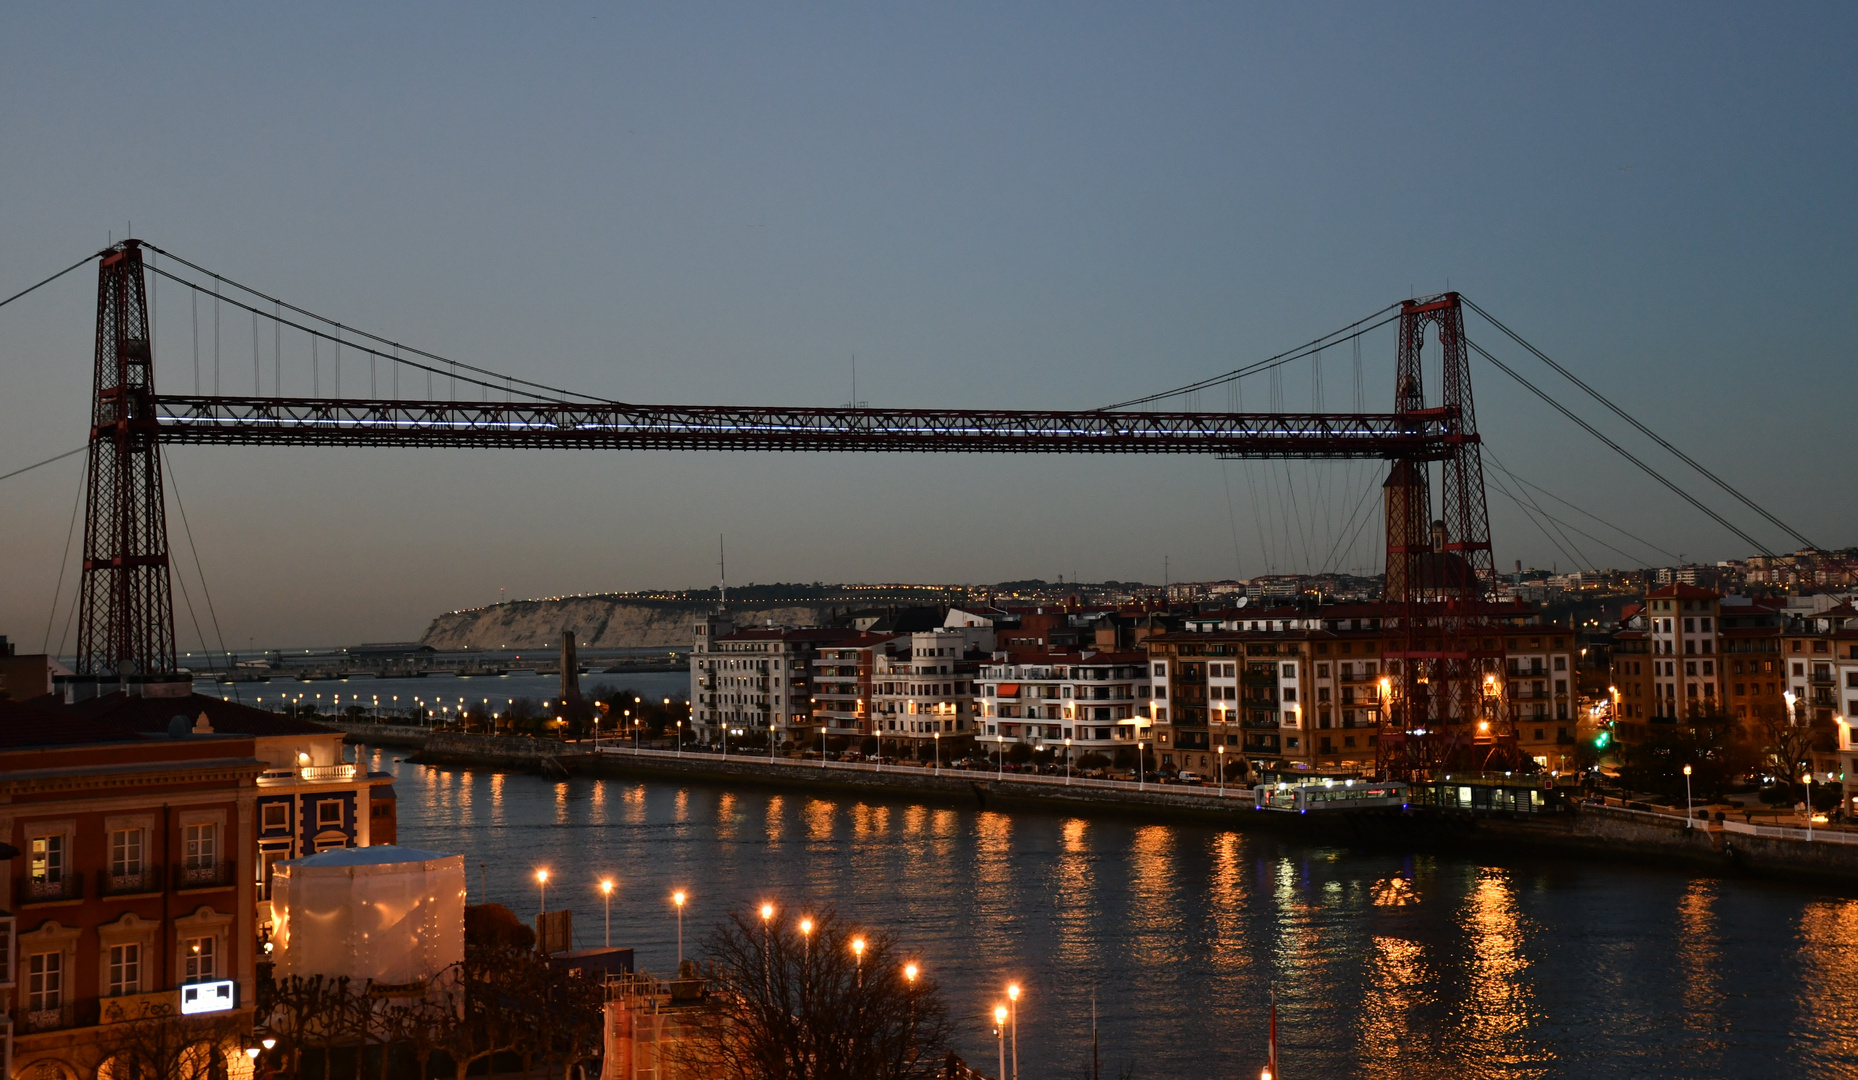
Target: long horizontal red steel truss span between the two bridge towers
{"x":220,"y":421}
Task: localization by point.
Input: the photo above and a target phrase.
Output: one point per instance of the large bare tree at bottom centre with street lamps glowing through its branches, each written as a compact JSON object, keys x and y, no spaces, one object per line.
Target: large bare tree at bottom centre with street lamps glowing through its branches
{"x":809,"y":1007}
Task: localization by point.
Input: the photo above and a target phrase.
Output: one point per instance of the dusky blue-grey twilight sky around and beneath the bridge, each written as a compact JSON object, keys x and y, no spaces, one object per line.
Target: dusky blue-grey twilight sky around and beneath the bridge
{"x":989,"y":205}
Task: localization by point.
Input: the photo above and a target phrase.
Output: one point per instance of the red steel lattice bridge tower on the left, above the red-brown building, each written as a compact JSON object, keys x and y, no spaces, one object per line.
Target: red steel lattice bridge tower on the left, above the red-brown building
{"x":127,"y":622}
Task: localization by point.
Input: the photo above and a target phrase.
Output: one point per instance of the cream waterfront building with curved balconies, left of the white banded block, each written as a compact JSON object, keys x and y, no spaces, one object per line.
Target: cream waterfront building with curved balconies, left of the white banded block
{"x":924,"y":694}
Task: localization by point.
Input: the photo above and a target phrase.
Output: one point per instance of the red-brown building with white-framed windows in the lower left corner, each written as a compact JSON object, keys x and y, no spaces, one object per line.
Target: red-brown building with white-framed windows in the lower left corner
{"x":129,"y":888}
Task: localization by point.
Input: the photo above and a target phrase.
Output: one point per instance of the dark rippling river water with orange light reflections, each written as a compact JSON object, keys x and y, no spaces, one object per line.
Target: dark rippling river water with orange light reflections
{"x":1387,"y":964}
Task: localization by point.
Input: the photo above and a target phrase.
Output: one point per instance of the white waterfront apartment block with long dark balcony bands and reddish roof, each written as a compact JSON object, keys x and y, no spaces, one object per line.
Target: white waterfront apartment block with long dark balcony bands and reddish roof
{"x":1073,"y":702}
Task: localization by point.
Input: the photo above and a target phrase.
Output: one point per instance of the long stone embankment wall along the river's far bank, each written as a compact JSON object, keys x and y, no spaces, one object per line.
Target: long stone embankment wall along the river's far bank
{"x":1586,"y":832}
